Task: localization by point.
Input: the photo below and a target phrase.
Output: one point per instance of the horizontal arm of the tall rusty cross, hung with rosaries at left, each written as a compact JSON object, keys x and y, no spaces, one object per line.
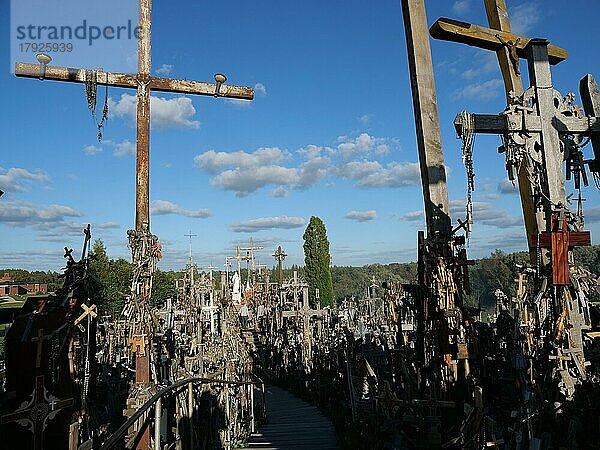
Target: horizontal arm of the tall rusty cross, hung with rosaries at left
{"x":130,"y":81}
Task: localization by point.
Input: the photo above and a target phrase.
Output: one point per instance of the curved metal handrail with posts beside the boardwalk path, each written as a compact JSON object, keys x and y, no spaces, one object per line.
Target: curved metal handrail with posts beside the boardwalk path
{"x":142,"y":414}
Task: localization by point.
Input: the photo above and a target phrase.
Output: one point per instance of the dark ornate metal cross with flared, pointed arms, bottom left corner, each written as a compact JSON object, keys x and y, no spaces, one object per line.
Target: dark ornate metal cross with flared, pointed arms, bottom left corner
{"x":35,"y":413}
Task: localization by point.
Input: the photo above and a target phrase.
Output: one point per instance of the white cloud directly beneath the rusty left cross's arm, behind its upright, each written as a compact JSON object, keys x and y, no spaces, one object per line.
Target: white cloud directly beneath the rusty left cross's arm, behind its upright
{"x":176,"y":112}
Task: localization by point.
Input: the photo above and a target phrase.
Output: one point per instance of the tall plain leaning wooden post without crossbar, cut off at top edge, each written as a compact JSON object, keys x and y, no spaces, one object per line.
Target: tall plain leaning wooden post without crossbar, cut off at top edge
{"x":429,"y":140}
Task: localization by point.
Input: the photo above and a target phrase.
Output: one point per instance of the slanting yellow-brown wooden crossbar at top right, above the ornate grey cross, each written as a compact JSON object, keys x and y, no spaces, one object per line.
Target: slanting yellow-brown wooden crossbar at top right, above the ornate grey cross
{"x":482,"y":37}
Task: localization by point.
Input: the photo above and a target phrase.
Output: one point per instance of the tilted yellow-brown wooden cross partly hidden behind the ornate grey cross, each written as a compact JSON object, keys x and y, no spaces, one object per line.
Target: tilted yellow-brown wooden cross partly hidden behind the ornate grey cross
{"x":509,"y":49}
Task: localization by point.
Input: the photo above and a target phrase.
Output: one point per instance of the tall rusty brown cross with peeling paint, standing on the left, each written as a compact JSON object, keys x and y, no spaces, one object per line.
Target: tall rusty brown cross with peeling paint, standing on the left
{"x":144,"y":83}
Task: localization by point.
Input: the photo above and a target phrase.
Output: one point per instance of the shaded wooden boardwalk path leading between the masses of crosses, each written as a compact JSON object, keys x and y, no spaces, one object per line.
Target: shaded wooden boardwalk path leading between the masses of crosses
{"x":293,"y":424}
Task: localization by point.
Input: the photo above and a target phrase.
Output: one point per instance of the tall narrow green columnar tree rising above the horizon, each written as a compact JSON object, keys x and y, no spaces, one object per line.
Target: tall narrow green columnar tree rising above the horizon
{"x":316,"y":262}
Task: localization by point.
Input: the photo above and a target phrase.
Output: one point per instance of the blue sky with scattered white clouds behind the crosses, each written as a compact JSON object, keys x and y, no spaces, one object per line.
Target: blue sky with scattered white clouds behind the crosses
{"x":330,"y":133}
